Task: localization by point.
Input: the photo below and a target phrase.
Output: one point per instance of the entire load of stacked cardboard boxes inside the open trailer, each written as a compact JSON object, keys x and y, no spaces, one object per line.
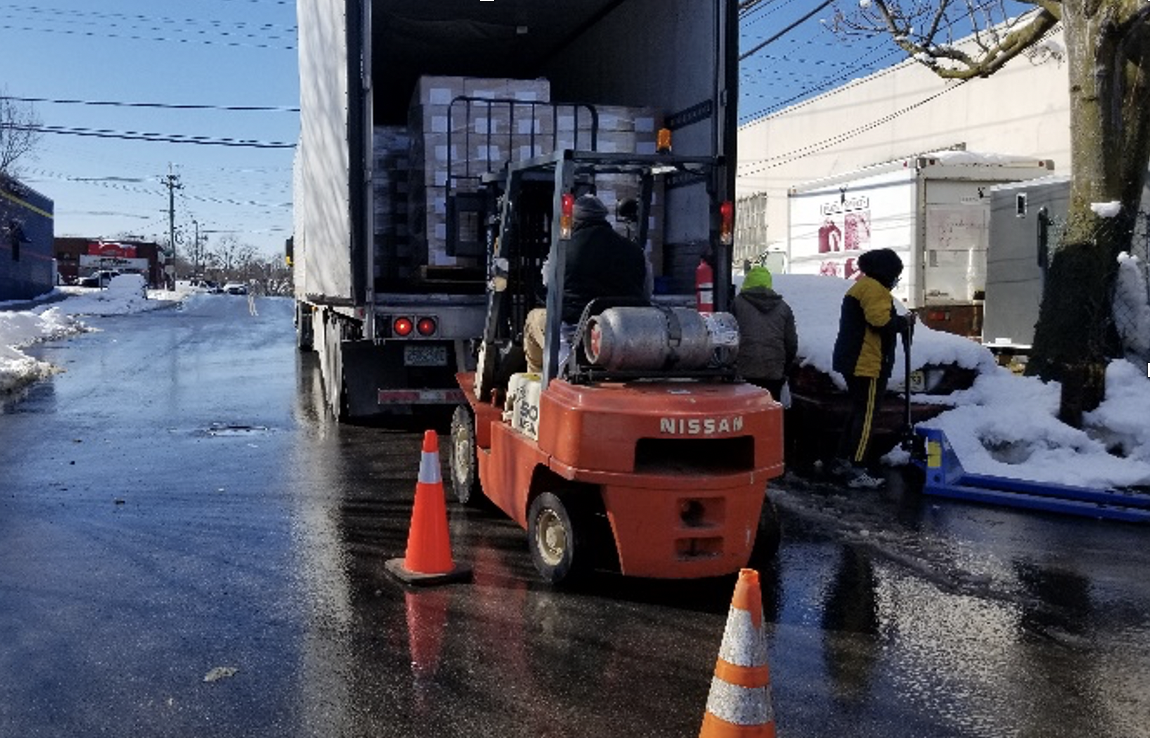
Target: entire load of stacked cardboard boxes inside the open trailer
{"x":463,"y":128}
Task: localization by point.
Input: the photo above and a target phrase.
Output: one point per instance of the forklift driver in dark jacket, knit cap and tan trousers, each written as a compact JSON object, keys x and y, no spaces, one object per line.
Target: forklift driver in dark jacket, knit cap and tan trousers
{"x":601,"y":264}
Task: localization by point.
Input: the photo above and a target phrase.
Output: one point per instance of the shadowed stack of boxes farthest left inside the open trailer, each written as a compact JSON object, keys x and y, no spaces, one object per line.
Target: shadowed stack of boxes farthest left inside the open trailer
{"x":390,"y":183}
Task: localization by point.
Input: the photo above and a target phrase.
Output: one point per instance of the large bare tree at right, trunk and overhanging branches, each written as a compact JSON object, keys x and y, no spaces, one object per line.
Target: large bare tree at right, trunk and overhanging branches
{"x":1108,"y":47}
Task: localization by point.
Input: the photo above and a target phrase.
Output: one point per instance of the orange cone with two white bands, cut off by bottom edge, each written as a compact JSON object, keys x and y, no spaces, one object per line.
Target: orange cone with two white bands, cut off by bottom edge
{"x":739,"y":705}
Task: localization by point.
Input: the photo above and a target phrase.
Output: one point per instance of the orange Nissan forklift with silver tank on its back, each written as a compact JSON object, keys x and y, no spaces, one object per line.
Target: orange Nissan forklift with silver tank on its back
{"x":643,"y":453}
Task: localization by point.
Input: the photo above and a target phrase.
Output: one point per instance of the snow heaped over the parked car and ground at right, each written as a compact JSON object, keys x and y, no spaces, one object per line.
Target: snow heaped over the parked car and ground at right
{"x":1006,"y":425}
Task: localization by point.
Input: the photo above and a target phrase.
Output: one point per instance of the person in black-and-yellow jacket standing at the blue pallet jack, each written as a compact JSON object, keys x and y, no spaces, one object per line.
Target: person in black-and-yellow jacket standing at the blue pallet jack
{"x":865,"y":356}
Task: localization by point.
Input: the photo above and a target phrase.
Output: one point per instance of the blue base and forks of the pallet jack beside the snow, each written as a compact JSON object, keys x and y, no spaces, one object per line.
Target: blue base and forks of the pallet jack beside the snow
{"x":946,"y":478}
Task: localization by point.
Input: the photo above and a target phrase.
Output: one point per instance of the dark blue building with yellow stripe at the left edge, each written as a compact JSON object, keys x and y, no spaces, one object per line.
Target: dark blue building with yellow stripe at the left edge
{"x":26,"y":242}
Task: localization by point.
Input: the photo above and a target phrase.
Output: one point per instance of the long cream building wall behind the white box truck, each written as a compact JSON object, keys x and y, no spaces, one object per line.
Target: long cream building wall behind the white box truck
{"x":1023,"y":110}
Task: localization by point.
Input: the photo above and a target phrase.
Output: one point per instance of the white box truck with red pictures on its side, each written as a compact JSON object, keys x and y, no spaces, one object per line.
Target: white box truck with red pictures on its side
{"x":930,"y":209}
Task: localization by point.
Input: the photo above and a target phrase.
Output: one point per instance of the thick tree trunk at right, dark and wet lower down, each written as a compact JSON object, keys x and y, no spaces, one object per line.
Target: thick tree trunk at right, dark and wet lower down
{"x":1110,"y":151}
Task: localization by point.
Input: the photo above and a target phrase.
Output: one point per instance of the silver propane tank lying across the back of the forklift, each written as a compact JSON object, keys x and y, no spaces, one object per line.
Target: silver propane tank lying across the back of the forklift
{"x":648,"y":339}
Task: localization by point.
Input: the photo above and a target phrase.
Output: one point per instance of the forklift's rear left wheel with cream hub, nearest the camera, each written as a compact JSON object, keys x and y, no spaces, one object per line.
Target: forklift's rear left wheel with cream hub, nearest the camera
{"x":558,"y":549}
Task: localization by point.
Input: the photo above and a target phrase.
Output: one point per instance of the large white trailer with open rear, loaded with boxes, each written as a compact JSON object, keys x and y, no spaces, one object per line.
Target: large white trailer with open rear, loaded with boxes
{"x":407,"y":107}
